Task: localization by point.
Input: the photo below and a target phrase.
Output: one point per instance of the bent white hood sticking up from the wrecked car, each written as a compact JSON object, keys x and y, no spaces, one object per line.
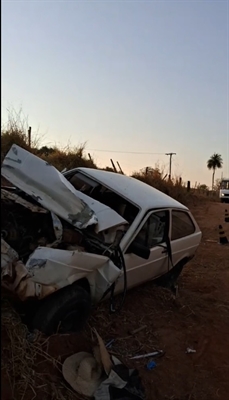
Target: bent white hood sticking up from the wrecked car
{"x":53,"y":191}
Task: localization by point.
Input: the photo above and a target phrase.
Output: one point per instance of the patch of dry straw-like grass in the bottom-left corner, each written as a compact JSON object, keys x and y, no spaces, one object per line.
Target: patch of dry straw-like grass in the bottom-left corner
{"x":22,"y":356}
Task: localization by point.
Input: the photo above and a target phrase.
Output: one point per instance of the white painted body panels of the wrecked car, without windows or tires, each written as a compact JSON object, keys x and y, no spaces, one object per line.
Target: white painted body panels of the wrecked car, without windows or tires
{"x":50,"y":269}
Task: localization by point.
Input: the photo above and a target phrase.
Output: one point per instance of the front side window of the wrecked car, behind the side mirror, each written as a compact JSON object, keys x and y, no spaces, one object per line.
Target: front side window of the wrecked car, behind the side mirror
{"x":154,"y":229}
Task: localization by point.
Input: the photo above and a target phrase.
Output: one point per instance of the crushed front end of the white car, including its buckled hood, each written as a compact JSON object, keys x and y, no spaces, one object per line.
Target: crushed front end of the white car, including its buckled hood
{"x":52,"y":234}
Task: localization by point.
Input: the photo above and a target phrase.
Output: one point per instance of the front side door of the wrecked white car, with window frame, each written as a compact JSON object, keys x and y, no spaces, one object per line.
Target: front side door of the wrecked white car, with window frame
{"x":151,"y":234}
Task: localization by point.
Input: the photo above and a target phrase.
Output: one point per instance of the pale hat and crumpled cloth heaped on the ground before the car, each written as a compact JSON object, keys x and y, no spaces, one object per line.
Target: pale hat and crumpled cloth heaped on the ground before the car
{"x":100,"y":376}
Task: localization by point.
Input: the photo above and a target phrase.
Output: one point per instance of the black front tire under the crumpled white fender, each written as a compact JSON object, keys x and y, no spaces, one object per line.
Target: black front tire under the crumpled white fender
{"x":64,"y":311}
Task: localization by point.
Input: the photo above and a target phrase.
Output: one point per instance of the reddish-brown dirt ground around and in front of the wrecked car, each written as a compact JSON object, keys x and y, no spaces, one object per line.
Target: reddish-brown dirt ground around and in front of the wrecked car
{"x":198,"y":318}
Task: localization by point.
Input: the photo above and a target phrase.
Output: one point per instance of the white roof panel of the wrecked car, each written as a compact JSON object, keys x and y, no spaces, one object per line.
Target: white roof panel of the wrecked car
{"x":137,"y":192}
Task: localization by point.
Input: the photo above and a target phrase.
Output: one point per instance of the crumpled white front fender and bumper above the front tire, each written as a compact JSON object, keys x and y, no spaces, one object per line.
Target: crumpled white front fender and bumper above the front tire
{"x":48,"y":270}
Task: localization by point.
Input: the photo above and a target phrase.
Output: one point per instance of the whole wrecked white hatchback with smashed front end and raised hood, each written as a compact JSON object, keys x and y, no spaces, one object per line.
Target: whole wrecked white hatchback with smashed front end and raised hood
{"x":69,"y":240}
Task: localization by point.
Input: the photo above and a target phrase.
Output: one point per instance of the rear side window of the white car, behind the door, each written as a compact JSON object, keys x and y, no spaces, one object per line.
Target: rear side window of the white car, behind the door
{"x":182,"y":225}
